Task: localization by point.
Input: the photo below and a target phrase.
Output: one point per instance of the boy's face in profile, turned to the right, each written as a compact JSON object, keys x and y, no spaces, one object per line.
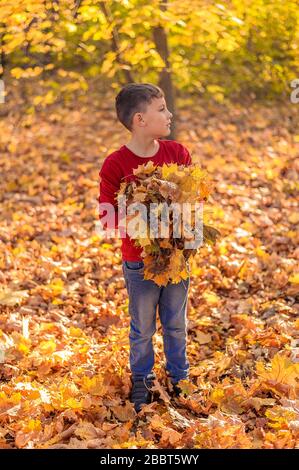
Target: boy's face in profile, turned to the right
{"x":155,"y":122}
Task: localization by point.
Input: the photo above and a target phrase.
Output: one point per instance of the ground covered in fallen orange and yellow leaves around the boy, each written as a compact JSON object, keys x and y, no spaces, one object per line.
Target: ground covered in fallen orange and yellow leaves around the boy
{"x":64,"y":320}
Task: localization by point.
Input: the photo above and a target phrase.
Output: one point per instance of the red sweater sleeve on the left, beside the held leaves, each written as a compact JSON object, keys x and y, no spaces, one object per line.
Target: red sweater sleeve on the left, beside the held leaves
{"x":110,"y":178}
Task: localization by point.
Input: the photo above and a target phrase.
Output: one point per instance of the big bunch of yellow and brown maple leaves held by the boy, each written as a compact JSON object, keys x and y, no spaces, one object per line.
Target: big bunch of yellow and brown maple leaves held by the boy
{"x":165,"y":258}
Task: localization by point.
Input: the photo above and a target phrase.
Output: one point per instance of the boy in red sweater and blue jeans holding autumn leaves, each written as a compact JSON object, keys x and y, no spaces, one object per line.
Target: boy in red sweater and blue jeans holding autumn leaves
{"x":142,"y":109}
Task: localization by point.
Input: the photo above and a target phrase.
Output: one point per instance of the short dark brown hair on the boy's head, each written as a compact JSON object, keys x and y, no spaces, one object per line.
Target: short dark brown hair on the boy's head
{"x":133,"y":98}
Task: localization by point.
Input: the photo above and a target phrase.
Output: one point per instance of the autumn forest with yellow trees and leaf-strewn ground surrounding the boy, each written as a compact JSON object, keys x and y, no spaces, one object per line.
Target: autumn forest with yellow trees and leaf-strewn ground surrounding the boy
{"x":229,"y":72}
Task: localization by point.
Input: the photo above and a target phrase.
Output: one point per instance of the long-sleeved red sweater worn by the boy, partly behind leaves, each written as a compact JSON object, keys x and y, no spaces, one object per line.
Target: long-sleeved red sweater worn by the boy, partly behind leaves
{"x":118,"y":167}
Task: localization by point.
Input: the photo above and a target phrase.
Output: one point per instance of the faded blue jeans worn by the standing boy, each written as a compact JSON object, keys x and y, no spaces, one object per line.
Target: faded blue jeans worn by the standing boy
{"x":144,"y":297}
